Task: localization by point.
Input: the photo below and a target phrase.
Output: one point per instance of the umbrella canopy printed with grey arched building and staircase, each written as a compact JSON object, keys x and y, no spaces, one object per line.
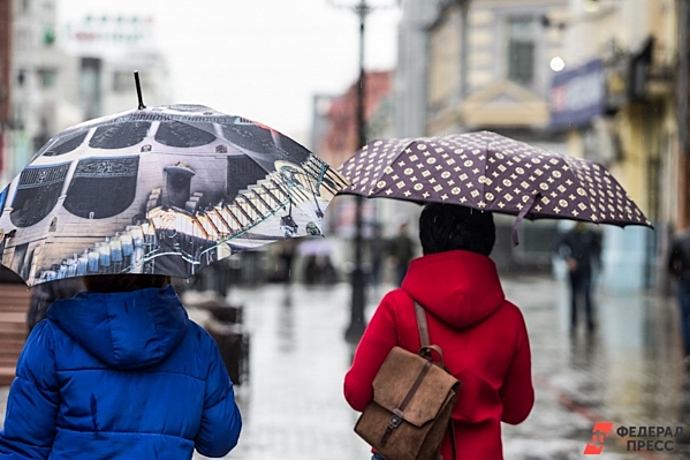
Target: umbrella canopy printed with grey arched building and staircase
{"x":161,"y":190}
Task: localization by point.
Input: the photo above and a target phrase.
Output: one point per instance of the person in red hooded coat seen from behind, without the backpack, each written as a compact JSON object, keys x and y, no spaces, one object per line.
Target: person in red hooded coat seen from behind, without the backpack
{"x":483,"y":336}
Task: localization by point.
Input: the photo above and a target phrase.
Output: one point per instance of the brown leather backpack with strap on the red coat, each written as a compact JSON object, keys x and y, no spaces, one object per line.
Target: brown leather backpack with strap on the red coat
{"x":413,"y":401}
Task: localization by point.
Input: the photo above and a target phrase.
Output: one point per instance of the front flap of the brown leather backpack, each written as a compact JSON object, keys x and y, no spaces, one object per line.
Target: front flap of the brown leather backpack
{"x":399,"y":373}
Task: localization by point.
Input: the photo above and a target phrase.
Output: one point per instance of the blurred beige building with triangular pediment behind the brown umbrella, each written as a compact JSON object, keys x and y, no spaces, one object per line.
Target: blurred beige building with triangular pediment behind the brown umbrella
{"x":490,"y":66}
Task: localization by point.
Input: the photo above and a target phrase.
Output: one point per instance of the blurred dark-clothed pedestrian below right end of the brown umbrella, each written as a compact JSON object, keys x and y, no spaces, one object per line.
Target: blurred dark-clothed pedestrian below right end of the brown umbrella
{"x":581,"y":249}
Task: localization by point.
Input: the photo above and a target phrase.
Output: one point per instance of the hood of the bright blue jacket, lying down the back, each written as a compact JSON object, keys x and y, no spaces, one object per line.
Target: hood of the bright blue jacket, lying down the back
{"x":125,"y":330}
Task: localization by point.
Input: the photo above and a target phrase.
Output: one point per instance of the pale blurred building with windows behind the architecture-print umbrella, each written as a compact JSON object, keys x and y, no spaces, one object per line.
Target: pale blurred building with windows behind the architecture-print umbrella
{"x":62,"y":74}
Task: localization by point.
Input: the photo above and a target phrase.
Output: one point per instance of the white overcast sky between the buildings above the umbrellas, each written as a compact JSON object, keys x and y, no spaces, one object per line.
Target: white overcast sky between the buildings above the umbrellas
{"x":262,"y":59}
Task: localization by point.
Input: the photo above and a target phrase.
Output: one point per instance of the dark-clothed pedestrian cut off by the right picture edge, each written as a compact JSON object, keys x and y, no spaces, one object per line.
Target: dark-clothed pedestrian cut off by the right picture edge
{"x":679,"y":267}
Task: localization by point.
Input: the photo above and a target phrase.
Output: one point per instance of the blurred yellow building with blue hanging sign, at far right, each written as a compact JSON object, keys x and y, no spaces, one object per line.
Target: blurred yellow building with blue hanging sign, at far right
{"x":617,"y":105}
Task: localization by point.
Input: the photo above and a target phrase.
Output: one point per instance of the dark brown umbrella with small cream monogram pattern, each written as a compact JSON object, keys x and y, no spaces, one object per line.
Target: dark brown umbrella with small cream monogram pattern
{"x":489,"y":172}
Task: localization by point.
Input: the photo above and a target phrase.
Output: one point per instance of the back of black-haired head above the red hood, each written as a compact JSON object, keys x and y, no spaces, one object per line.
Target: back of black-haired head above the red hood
{"x":446,"y":227}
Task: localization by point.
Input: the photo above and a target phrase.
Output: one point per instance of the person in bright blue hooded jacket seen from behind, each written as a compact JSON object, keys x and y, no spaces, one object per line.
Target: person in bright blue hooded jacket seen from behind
{"x":120,"y":372}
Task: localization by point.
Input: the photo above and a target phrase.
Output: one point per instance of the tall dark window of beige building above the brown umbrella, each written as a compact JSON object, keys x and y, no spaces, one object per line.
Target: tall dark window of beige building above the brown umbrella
{"x":521,"y":49}
